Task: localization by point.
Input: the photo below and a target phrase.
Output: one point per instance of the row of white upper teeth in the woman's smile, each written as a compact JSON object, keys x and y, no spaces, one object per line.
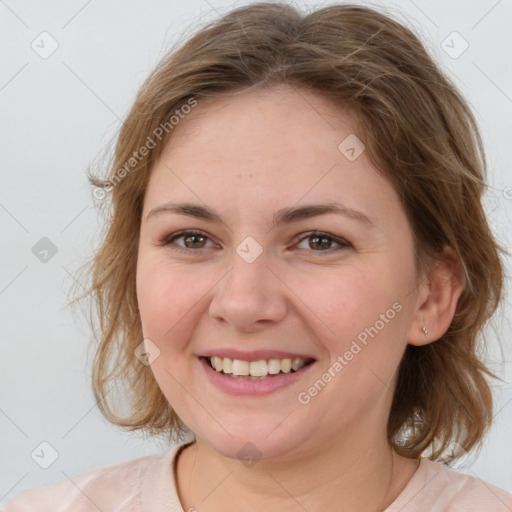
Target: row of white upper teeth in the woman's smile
{"x":261,"y":368}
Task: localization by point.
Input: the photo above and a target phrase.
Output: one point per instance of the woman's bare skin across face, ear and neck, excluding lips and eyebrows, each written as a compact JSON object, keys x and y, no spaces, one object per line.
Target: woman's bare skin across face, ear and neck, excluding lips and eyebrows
{"x":246,"y":157}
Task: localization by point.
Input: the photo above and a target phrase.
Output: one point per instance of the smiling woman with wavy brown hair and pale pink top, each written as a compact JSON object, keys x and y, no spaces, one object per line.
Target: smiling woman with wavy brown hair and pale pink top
{"x":293,"y":284}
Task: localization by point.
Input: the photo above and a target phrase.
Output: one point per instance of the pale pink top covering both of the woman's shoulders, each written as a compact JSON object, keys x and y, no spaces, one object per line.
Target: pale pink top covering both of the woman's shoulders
{"x":148,"y":484}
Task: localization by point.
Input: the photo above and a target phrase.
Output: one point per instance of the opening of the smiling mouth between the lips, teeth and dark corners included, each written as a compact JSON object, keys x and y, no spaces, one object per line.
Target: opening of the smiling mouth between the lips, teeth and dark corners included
{"x":263,"y":369}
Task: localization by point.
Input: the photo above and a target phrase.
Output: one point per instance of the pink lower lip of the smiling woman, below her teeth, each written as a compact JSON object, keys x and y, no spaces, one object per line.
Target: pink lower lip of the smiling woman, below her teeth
{"x":236,"y":386}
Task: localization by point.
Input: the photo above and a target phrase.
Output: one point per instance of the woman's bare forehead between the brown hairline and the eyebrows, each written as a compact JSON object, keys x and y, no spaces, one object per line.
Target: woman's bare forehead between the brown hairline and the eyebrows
{"x":274,"y":147}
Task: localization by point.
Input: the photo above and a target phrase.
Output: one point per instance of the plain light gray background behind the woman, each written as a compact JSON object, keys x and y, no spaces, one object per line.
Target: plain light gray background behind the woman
{"x":58,"y":113}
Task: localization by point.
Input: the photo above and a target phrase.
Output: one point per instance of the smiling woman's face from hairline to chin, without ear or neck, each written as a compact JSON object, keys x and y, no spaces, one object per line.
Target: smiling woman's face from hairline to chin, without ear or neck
{"x":337,"y":288}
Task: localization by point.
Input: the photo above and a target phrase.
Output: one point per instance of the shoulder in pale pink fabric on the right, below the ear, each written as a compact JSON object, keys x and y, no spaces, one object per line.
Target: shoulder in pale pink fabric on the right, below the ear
{"x":437,"y":487}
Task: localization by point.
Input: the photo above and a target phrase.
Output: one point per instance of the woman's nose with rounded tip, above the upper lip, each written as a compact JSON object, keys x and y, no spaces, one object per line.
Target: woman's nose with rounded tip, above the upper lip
{"x":250,"y":296}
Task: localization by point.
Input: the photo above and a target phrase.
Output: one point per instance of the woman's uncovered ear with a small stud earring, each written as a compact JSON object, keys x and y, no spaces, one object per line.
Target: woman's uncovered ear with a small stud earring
{"x":437,"y":299}
